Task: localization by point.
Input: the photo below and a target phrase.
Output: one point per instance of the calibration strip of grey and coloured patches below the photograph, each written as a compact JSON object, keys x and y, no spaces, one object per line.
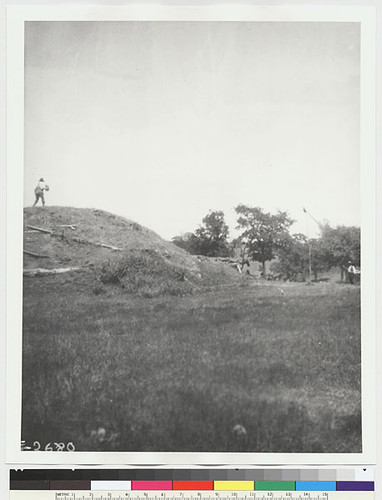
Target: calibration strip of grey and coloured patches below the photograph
{"x":328,"y":480}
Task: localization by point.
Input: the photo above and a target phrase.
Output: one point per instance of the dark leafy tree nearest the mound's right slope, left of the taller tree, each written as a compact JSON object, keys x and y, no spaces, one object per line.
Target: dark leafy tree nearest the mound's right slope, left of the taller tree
{"x":210,"y":239}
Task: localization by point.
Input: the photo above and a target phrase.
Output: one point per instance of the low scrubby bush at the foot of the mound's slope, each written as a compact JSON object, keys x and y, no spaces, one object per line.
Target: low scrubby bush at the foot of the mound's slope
{"x":146,"y":274}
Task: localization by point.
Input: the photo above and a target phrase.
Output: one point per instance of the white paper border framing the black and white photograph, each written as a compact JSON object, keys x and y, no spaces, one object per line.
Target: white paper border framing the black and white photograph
{"x":16,"y":17}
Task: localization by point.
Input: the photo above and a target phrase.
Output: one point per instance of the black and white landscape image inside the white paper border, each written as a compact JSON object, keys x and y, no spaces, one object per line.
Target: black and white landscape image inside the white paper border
{"x":192,"y":220}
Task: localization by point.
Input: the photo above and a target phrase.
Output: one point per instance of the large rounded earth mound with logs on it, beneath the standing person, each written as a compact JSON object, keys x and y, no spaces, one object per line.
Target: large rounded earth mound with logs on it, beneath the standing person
{"x":116,"y":253}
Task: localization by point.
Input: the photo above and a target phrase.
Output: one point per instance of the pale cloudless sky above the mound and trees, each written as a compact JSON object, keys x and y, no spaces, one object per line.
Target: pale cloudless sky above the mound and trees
{"x":161,"y":122}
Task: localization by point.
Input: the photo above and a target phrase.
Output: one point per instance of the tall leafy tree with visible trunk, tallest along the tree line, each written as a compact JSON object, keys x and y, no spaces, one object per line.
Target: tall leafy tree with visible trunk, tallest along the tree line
{"x":264,"y":234}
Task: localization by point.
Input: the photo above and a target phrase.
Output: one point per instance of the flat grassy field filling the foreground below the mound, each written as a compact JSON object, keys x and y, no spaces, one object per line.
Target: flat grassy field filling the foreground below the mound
{"x":116,"y":372}
